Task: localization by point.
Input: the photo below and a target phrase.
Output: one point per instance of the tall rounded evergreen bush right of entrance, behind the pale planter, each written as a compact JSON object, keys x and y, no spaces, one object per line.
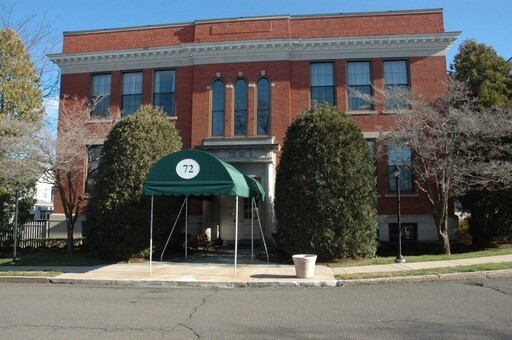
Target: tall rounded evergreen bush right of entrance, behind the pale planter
{"x":325,"y":200}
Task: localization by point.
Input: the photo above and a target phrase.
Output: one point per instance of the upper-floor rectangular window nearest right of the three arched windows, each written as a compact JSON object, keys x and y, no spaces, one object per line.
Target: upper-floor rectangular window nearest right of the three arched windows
{"x":322,"y":83}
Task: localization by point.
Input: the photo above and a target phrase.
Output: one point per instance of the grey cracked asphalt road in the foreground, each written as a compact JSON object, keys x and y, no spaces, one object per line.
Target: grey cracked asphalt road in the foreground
{"x":420,"y":311}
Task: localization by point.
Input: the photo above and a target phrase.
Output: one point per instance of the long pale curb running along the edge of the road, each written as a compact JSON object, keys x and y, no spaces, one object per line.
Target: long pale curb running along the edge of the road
{"x":453,"y":277}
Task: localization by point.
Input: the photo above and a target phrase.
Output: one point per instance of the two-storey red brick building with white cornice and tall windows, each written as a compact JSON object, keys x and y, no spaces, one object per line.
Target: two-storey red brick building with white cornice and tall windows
{"x":233,"y":86}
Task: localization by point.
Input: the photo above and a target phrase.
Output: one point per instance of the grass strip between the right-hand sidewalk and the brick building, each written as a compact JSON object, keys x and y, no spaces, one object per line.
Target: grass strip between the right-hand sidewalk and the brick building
{"x":421,"y":258}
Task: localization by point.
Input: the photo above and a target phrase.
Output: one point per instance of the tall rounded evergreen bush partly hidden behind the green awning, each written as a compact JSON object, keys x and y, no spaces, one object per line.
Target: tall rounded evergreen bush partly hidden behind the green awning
{"x":118,"y":215}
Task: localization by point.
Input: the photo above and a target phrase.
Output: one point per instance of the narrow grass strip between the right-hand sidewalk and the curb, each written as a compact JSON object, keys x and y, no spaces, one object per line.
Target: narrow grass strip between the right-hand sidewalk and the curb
{"x":432,"y":271}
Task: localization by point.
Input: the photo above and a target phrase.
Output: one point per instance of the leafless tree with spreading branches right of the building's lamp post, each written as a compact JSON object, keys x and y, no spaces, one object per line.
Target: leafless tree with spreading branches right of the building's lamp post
{"x":456,"y":148}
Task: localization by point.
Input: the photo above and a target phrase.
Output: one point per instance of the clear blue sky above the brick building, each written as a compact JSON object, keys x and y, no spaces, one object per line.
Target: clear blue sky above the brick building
{"x":486,"y":21}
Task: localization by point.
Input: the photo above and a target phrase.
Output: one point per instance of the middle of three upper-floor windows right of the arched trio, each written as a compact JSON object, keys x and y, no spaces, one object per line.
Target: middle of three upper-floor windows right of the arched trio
{"x":359,"y":82}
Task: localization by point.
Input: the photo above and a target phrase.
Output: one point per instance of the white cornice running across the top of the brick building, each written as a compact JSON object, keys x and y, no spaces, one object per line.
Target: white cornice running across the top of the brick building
{"x":258,"y":50}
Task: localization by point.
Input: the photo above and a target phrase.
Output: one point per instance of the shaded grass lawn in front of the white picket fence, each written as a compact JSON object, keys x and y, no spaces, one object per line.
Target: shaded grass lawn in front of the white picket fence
{"x":47,"y":257}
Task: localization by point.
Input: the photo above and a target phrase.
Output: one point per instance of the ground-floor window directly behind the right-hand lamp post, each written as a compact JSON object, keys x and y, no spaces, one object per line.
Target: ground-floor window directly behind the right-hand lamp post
{"x":400,"y":157}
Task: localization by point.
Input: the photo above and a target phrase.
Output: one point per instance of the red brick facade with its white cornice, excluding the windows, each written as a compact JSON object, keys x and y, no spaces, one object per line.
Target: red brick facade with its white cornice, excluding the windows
{"x":278,"y":48}
